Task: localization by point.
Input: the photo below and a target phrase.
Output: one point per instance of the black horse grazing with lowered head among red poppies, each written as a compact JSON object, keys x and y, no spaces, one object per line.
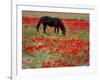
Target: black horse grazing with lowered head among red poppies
{"x":52,"y":22}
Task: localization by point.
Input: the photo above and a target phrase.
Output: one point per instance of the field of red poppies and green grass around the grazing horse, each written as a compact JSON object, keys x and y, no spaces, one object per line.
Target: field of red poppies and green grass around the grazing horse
{"x":52,"y":49}
